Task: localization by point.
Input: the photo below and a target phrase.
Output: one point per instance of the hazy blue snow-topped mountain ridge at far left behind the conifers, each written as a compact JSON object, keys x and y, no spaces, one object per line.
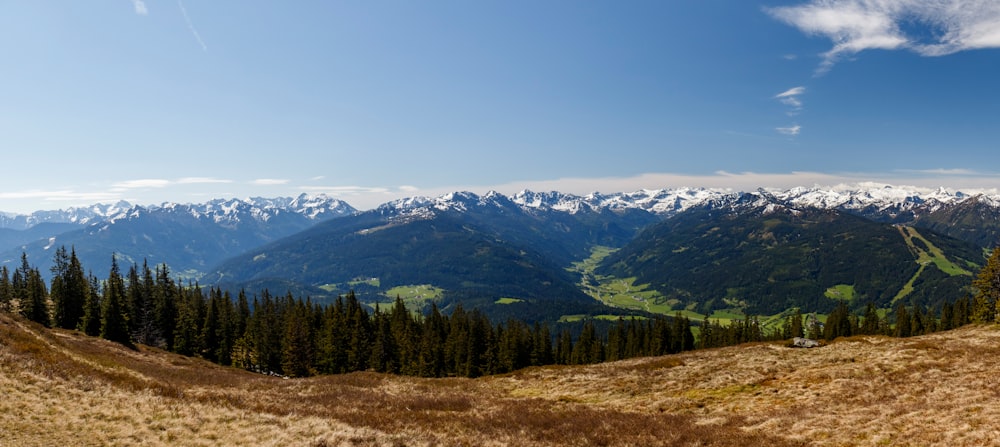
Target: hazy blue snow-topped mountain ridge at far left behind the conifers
{"x":187,"y":237}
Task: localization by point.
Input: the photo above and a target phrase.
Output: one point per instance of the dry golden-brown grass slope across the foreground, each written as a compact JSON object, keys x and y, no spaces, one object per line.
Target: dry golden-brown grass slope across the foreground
{"x":61,"y":388}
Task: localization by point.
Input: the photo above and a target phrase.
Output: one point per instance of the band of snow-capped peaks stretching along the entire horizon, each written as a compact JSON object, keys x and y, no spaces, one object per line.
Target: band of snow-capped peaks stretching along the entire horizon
{"x":873,"y":200}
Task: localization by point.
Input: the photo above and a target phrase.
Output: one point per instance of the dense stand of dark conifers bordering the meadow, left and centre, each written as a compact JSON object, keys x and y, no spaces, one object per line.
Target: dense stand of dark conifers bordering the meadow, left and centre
{"x":295,"y":337}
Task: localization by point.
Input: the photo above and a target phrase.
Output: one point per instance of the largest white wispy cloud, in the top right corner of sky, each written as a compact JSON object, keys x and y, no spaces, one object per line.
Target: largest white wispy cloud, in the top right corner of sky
{"x":926,"y":27}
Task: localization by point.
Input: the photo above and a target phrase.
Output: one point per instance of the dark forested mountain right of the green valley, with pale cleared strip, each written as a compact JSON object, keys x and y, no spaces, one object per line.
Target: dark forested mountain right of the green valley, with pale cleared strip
{"x":763,"y":256}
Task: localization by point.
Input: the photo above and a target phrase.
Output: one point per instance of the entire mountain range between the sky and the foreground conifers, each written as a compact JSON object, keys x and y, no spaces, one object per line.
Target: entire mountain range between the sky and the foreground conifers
{"x":695,"y":249}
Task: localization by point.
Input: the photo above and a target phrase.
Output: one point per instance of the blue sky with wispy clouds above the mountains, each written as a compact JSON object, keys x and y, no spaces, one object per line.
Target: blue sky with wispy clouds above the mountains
{"x":167,"y":100}
